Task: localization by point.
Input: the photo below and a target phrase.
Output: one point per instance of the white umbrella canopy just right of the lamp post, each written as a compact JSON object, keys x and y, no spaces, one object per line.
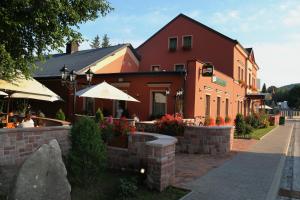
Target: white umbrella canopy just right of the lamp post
{"x":105,"y":91}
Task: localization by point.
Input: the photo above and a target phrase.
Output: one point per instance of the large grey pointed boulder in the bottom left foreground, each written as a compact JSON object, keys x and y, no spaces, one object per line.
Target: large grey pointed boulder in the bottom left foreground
{"x":43,"y":176}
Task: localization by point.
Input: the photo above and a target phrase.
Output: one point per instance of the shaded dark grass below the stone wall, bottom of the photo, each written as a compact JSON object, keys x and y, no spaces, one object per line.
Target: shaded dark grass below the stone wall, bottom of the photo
{"x":107,"y":188}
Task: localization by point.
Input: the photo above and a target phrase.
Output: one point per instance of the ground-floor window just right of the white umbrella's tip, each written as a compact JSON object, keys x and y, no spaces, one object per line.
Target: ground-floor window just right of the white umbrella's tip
{"x":159,"y":103}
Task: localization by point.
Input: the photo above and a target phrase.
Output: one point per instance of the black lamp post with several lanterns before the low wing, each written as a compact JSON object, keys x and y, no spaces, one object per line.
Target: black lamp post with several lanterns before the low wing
{"x":68,"y":79}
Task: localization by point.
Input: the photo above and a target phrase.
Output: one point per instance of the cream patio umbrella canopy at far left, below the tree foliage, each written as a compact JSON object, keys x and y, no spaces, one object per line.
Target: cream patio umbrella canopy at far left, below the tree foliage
{"x":26,"y":88}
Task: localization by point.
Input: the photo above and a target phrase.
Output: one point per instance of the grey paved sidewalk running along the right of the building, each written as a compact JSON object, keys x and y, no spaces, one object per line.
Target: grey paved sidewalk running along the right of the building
{"x":251,"y":175}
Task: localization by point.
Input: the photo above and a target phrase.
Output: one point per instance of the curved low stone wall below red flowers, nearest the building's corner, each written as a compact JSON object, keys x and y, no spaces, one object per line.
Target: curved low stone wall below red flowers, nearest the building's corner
{"x":206,"y":140}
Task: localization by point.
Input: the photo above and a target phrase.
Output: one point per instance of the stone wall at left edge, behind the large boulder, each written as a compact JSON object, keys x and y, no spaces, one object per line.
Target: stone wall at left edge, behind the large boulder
{"x":17,"y":144}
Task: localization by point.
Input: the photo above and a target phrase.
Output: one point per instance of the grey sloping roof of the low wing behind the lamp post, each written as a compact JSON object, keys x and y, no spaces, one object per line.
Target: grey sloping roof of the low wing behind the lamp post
{"x":77,"y":61}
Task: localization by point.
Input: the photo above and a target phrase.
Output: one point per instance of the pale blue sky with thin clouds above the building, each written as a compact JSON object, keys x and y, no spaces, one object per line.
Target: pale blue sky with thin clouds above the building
{"x":271,"y":27}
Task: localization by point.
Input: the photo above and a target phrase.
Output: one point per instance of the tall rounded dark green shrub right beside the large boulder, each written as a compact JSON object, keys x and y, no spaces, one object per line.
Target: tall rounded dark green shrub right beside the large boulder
{"x":87,"y":155}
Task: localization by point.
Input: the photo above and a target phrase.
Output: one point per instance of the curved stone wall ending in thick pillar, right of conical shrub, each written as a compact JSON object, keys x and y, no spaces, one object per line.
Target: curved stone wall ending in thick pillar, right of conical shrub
{"x":153,"y":152}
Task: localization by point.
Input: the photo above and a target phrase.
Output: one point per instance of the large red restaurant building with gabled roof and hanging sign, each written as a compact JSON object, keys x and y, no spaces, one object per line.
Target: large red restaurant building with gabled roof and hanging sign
{"x":165,"y":74}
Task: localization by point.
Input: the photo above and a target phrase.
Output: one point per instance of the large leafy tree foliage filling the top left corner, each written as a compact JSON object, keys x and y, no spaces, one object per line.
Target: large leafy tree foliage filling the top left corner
{"x":31,"y":29}
